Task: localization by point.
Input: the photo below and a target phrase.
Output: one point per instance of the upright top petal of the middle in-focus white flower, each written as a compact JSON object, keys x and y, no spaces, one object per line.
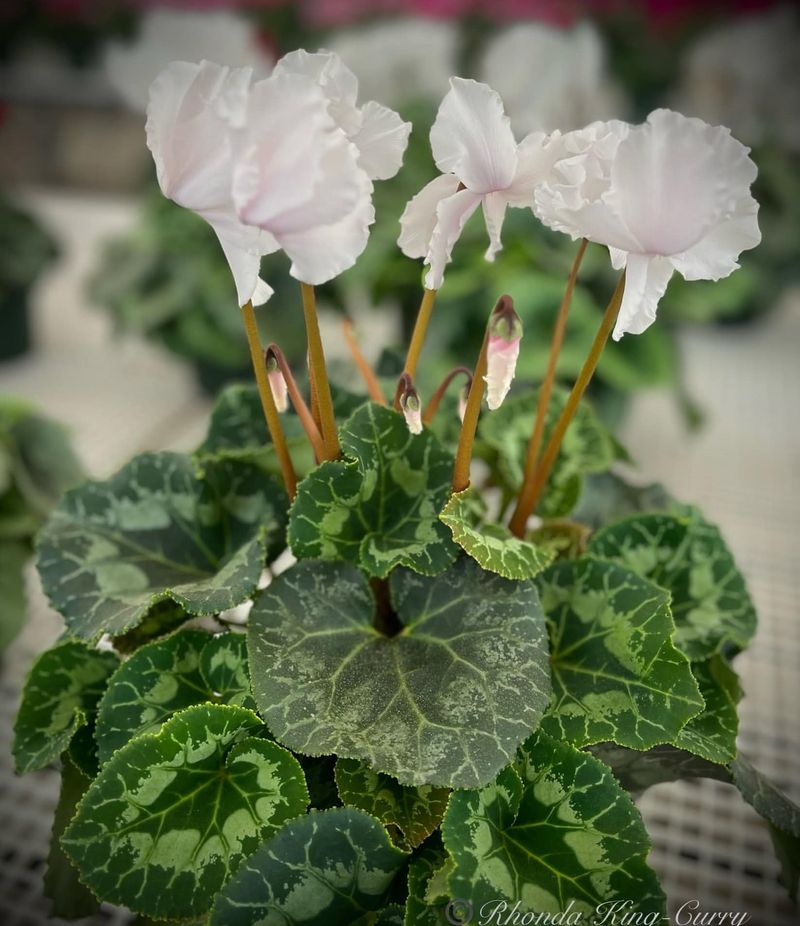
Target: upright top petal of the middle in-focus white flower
{"x":472,"y":137}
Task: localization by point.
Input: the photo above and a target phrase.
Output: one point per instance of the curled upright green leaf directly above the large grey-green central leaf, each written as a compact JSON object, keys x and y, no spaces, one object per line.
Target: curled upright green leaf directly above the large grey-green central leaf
{"x":379,"y":508}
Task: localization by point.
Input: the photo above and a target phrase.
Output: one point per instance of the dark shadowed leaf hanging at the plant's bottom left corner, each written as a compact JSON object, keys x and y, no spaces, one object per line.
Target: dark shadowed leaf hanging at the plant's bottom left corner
{"x":71,"y":900}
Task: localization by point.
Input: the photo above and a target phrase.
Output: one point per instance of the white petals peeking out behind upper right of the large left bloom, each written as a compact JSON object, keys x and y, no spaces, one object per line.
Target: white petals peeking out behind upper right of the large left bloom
{"x":379,"y":133}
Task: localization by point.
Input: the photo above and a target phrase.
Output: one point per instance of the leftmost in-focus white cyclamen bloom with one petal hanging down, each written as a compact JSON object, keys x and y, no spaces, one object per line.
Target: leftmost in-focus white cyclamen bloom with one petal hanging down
{"x":191,"y":109}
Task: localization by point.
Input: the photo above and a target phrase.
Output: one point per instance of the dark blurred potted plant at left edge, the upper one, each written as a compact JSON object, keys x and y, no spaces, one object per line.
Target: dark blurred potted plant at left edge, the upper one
{"x":26,"y":250}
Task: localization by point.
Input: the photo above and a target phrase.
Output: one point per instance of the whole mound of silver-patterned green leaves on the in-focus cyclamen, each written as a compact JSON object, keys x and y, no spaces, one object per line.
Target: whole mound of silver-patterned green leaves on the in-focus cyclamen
{"x":421,"y":708}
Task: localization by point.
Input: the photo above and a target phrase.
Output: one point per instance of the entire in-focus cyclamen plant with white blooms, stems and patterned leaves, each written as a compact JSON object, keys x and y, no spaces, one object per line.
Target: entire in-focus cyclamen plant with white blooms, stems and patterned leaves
{"x":434,"y":712}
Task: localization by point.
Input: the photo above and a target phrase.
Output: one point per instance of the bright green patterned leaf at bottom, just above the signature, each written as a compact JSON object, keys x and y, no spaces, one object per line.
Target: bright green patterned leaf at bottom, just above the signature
{"x":558,"y":831}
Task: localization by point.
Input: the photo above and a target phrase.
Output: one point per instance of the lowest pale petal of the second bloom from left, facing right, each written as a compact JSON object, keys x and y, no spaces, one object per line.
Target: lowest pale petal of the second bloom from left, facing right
{"x":319,"y":254}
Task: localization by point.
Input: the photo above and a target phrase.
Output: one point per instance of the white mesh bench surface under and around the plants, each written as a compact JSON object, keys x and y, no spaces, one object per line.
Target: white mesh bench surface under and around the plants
{"x":742,"y":469}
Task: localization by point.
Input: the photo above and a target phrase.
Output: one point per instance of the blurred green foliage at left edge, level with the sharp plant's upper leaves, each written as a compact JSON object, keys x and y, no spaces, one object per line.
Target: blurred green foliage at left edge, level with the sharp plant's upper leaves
{"x":37,"y":465}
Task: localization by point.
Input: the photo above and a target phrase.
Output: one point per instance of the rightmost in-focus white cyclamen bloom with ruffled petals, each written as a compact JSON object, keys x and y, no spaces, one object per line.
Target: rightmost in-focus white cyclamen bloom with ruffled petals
{"x":671,"y":194}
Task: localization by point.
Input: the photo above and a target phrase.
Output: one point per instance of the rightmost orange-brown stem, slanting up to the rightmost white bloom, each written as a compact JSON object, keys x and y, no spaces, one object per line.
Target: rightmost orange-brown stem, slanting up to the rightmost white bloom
{"x":533,"y":484}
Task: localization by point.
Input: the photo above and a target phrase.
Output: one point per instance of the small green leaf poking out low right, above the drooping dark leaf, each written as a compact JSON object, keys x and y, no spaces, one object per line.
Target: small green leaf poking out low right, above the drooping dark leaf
{"x":712,"y":733}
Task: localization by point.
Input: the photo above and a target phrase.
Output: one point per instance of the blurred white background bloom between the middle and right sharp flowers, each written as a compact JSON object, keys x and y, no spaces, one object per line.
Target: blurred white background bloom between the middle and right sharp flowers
{"x":552,"y":78}
